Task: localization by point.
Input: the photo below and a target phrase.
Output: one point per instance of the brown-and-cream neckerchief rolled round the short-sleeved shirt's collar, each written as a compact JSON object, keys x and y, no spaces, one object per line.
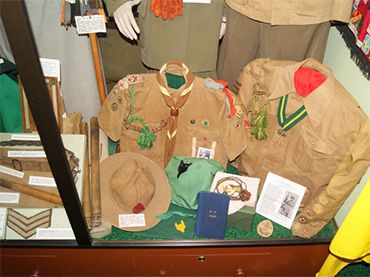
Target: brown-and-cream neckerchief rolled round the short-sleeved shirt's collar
{"x":176,"y":67}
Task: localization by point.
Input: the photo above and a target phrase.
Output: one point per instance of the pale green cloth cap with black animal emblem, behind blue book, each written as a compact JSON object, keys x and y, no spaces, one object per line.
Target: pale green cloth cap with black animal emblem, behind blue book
{"x":188,"y":176}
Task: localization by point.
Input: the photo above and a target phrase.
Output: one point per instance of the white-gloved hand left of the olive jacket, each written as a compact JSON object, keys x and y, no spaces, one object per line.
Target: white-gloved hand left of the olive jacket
{"x":125,"y":20}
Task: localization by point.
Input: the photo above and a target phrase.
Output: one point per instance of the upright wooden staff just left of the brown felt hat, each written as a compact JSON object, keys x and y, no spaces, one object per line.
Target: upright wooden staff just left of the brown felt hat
{"x":95,"y":176}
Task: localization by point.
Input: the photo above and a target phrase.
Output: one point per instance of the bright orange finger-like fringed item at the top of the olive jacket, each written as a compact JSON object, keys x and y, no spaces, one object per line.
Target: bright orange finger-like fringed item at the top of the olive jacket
{"x":166,"y":8}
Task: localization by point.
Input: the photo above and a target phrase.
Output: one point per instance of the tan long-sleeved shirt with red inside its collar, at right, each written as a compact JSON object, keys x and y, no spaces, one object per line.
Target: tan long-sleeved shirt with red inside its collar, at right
{"x":327,"y":152}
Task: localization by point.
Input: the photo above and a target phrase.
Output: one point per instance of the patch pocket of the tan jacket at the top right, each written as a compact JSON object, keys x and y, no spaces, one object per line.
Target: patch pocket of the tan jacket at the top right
{"x":313,"y":8}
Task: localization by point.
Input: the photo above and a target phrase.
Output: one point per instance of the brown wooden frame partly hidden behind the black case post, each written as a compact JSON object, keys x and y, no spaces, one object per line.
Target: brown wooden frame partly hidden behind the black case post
{"x":56,"y":100}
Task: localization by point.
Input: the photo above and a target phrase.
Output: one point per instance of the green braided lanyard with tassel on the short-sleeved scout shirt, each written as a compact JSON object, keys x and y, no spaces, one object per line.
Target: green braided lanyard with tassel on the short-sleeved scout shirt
{"x":146,"y":138}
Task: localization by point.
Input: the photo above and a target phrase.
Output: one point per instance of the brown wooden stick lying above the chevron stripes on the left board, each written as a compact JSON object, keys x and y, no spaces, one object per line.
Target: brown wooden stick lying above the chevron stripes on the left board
{"x":26,"y":189}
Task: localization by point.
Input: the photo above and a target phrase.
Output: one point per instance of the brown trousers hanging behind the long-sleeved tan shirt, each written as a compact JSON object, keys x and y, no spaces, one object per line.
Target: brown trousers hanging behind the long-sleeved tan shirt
{"x":246,"y":39}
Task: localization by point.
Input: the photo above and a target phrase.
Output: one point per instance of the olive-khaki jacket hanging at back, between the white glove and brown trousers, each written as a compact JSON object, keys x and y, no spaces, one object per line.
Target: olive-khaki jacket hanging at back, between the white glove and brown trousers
{"x":192,"y":38}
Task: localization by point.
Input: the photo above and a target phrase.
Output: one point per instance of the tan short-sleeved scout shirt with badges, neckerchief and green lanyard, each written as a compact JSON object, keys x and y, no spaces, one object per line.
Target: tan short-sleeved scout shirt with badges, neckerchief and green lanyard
{"x":150,"y":118}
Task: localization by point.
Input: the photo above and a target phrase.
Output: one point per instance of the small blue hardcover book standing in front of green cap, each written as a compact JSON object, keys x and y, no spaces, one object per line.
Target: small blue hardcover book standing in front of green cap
{"x":212,"y":214}
